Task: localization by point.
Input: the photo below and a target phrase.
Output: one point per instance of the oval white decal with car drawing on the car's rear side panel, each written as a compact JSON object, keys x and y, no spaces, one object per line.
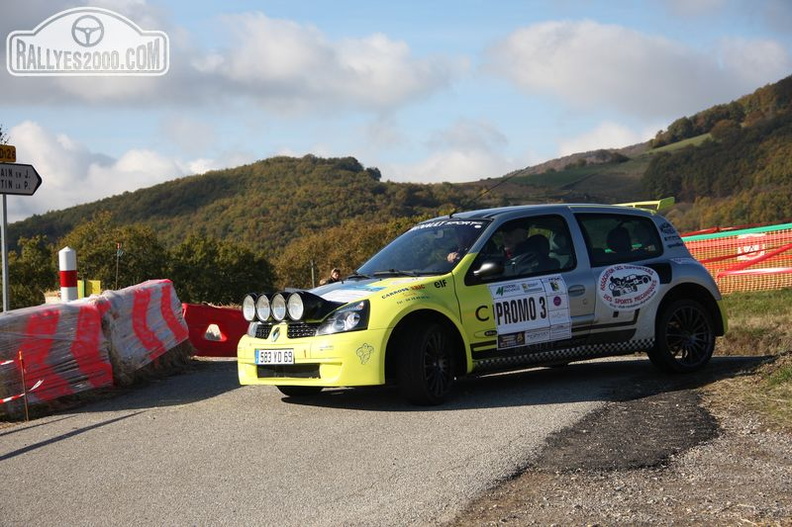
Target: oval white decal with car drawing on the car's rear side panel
{"x":627,"y":287}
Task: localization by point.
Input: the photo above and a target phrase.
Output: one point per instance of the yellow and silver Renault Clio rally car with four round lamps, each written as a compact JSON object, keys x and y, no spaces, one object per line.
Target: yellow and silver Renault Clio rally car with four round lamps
{"x":490,"y":290}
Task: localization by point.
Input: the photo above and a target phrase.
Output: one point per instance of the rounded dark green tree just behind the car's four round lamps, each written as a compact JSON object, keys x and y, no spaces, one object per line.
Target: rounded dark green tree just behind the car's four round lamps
{"x":205,"y":269}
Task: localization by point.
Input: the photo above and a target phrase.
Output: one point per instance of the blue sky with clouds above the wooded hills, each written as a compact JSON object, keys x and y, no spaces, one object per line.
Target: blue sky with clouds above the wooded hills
{"x":426,"y":91}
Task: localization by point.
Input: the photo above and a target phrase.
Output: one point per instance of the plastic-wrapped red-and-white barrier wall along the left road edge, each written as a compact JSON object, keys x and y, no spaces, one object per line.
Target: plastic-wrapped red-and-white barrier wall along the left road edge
{"x":55,"y":350}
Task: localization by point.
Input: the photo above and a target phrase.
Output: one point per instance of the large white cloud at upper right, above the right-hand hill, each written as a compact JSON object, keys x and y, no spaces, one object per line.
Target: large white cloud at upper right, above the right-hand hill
{"x":594,"y":66}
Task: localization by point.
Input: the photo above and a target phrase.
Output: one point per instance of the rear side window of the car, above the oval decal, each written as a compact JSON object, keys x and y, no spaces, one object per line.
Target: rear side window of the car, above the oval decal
{"x":614,"y":238}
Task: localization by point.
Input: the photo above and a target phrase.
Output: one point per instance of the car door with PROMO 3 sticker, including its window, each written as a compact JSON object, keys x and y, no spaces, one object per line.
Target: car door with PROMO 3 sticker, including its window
{"x":526,"y":292}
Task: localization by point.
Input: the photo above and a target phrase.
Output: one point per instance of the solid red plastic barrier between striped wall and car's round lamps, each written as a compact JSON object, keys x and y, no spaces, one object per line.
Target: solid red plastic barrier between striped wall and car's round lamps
{"x":214,"y":331}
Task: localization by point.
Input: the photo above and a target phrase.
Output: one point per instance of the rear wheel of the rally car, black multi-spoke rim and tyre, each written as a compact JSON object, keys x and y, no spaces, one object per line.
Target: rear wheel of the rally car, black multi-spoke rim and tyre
{"x":684,"y":337}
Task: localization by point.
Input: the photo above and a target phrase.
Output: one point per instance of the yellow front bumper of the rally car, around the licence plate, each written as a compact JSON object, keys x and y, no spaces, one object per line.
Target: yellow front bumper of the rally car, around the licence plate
{"x":356,"y":358}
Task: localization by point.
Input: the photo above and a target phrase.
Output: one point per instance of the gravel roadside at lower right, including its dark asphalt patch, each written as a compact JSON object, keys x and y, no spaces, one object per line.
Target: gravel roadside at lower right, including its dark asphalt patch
{"x":665,"y":455}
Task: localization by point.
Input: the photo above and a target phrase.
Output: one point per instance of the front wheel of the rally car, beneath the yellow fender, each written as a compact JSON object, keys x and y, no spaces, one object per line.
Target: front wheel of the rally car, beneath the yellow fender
{"x":425,"y":364}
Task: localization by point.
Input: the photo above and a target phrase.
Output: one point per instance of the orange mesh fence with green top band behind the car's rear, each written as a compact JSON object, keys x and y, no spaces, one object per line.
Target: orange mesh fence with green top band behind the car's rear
{"x":753,"y":259}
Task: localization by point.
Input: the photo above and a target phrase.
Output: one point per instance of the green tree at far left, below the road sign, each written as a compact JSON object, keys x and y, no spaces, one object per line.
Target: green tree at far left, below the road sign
{"x":32,"y":271}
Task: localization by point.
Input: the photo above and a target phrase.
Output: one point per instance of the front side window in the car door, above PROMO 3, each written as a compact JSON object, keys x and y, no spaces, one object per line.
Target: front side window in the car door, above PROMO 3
{"x":528,"y":247}
